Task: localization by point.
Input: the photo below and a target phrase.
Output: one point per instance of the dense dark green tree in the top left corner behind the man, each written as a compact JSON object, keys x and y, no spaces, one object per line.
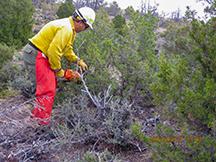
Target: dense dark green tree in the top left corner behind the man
{"x":16,"y":22}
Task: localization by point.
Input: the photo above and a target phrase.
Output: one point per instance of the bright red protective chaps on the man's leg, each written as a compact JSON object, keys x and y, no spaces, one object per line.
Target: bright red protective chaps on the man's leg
{"x":45,"y":90}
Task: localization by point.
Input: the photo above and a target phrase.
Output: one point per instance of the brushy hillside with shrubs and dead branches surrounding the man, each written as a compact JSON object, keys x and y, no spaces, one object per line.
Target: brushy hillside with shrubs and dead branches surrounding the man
{"x":149,"y":93}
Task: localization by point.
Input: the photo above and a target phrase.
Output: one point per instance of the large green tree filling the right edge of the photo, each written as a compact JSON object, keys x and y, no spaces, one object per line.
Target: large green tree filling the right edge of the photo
{"x":184,"y":87}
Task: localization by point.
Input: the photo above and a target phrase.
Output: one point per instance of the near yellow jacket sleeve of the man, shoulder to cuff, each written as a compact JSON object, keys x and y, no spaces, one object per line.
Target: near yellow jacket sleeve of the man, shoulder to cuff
{"x":54,"y":52}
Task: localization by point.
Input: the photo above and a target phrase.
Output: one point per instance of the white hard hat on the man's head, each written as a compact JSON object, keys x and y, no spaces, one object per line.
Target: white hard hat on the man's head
{"x":87,"y":15}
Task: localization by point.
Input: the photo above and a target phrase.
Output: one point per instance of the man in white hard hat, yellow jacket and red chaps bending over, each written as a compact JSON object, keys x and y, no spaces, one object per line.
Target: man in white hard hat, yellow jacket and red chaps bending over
{"x":42,"y":57}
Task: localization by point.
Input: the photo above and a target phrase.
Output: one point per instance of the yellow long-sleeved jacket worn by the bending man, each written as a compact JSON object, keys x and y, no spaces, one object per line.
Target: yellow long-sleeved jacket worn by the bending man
{"x":55,"y":40}
